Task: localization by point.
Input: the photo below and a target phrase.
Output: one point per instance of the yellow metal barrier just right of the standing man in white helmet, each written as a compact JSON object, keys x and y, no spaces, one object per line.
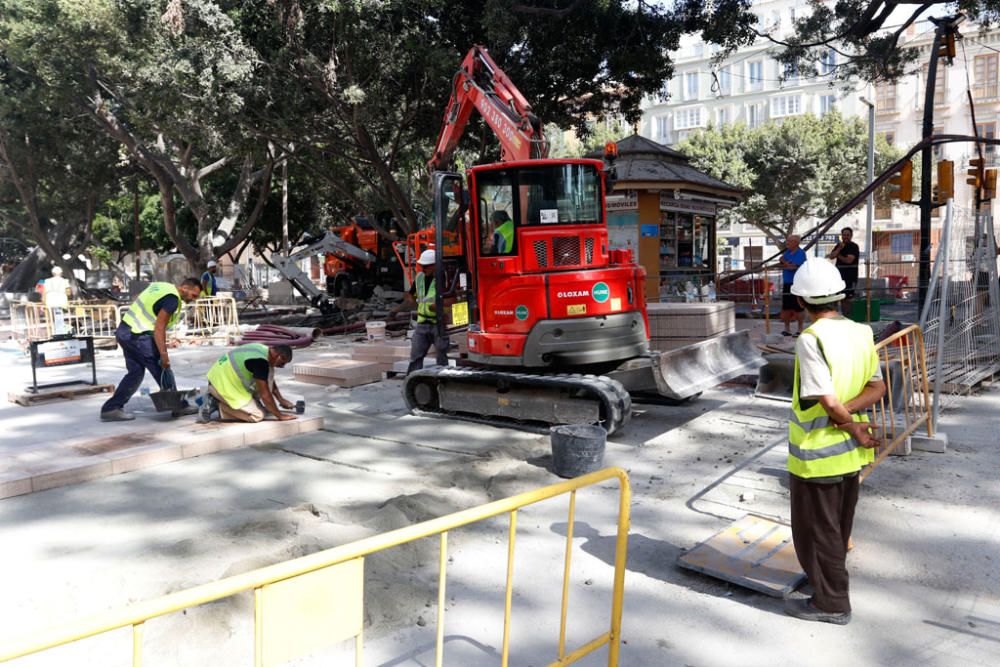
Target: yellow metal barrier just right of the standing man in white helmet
{"x":906,"y":405}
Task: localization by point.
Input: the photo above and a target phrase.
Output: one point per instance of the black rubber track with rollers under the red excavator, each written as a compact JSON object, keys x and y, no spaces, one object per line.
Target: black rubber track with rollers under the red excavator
{"x":521,"y":400}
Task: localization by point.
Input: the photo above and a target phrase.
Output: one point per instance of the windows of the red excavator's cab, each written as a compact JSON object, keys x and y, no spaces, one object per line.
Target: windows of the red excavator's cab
{"x":547,"y":194}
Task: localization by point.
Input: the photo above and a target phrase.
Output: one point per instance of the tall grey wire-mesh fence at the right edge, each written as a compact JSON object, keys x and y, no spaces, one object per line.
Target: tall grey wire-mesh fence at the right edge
{"x":961,"y":314}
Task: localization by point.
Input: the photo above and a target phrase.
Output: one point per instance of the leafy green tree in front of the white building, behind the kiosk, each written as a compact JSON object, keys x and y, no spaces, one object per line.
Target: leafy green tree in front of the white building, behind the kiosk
{"x":796,"y":170}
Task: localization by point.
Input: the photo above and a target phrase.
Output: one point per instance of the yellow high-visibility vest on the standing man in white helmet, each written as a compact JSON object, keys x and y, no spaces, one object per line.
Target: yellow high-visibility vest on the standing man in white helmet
{"x":816,"y":448}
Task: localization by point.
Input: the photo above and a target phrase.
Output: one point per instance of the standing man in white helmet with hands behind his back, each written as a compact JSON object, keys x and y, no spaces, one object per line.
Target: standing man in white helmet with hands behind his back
{"x":837,"y":378}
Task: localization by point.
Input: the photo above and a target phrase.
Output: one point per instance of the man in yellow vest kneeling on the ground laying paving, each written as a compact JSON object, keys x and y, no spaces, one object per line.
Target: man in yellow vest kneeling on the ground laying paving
{"x":242,"y":377}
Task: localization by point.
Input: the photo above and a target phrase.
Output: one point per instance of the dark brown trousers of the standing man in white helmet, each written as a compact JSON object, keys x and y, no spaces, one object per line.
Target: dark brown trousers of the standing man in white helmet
{"x":822,"y":517}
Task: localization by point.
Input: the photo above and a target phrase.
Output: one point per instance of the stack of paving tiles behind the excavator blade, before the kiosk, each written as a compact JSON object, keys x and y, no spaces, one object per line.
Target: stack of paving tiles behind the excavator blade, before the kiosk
{"x":674,"y":325}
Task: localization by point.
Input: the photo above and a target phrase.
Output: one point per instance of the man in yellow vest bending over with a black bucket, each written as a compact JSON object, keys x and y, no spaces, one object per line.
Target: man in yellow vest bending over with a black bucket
{"x":142,"y":335}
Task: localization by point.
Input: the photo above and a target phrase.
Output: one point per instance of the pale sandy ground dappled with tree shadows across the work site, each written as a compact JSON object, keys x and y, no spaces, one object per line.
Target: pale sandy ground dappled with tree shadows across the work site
{"x":924,"y":577}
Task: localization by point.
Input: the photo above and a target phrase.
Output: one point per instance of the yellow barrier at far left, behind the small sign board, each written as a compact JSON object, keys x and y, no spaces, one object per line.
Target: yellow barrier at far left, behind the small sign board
{"x":35,"y":321}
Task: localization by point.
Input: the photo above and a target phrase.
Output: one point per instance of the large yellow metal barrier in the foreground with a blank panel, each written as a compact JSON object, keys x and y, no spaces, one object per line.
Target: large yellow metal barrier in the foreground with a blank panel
{"x":296,"y":614}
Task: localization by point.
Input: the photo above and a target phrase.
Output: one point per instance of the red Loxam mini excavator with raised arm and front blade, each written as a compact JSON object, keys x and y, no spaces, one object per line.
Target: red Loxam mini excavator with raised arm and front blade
{"x":556,"y":321}
